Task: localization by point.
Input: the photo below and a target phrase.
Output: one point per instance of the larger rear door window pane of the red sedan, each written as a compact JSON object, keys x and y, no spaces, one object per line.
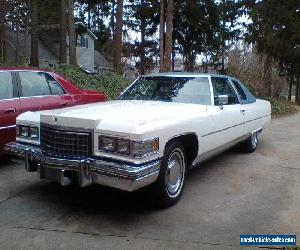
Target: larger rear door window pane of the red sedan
{"x":34,"y":84}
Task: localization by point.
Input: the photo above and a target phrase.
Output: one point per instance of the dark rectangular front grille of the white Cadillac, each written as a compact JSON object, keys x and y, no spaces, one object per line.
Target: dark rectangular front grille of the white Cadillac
{"x":65,"y":142}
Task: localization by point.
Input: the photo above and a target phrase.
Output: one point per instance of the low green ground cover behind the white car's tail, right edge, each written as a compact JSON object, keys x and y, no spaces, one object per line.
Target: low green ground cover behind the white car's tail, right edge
{"x":282,"y":107}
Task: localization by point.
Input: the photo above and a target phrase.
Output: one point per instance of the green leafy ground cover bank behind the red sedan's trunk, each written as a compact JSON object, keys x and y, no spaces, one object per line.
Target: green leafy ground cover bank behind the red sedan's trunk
{"x":110,"y":83}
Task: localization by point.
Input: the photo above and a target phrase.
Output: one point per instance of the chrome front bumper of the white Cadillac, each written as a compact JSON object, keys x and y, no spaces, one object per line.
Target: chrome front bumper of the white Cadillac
{"x":86,"y":171}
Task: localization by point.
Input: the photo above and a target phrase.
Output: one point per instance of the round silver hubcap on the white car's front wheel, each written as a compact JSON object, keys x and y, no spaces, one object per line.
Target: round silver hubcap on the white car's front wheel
{"x":175,"y":173}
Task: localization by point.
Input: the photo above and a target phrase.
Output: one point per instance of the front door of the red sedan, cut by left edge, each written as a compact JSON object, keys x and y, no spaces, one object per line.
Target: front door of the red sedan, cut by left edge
{"x":9,"y":107}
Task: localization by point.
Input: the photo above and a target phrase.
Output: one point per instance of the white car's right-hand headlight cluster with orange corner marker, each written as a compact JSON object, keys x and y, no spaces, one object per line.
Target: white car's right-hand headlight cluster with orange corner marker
{"x":136,"y":149}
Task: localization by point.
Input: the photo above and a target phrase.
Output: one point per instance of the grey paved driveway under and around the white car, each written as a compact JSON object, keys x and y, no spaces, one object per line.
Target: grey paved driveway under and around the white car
{"x":230,"y":195}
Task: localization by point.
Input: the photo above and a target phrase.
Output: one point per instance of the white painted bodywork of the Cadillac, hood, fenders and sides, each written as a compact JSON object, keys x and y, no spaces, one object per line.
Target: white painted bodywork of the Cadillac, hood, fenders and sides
{"x":215,"y":127}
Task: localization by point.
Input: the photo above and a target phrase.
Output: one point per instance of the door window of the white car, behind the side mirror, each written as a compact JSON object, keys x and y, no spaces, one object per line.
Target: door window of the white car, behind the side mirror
{"x":222,"y":86}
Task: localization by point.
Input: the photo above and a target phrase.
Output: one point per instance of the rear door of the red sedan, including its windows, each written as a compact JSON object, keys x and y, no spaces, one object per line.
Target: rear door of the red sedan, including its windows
{"x":40,"y":91}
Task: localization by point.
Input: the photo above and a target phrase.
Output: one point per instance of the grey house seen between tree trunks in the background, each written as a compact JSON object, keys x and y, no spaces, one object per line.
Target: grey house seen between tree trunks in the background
{"x":18,"y":49}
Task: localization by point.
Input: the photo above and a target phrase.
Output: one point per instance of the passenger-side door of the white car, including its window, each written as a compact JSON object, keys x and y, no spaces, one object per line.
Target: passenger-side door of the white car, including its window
{"x":227,"y":119}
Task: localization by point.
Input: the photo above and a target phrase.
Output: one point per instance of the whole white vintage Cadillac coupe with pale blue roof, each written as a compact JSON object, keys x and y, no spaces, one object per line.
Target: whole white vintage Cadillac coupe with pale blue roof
{"x":161,"y":125}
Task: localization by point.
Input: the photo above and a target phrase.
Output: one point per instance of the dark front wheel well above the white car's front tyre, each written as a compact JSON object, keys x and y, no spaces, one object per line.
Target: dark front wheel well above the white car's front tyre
{"x":190,"y":145}
